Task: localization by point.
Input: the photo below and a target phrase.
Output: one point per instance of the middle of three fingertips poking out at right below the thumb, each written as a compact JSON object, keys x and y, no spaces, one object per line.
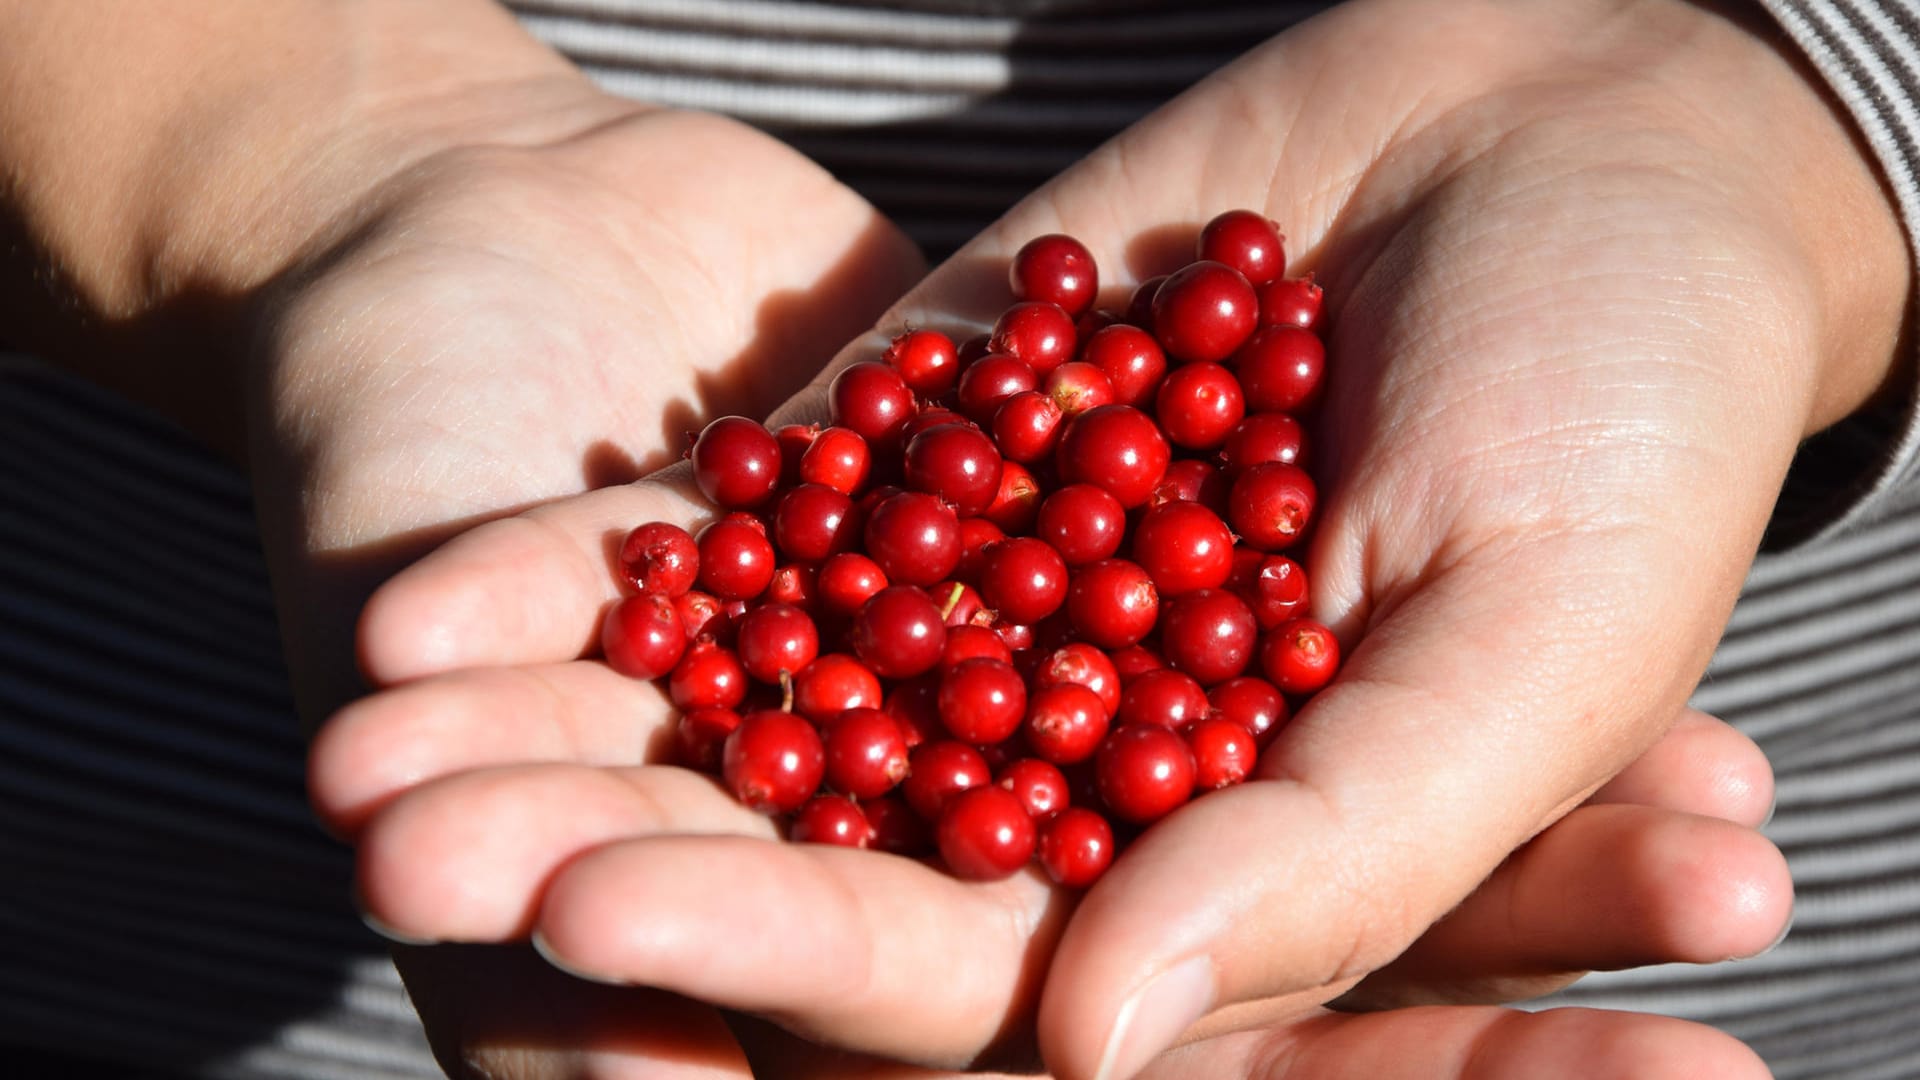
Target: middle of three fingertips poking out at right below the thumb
{"x":1606,"y":889}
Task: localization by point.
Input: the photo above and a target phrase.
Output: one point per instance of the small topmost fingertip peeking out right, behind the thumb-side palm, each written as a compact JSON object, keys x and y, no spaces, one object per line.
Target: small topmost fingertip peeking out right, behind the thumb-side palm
{"x":1702,"y":766}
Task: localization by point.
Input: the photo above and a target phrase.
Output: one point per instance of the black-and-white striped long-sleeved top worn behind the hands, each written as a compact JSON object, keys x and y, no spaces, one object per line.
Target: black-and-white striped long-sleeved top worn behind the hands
{"x":170,"y":910}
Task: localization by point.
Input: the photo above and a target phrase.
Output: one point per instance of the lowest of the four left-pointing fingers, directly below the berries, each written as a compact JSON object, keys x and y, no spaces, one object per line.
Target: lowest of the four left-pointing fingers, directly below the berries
{"x":840,"y":946}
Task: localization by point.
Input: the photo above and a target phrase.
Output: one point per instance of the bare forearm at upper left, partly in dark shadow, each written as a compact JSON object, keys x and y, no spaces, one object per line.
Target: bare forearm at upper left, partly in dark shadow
{"x":162,"y":160}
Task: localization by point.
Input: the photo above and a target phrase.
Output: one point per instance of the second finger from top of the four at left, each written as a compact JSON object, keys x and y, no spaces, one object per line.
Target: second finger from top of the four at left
{"x":577,"y":712}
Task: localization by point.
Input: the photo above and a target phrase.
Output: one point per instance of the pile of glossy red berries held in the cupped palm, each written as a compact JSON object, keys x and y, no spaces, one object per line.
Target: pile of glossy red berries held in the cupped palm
{"x":1022,"y":589}
